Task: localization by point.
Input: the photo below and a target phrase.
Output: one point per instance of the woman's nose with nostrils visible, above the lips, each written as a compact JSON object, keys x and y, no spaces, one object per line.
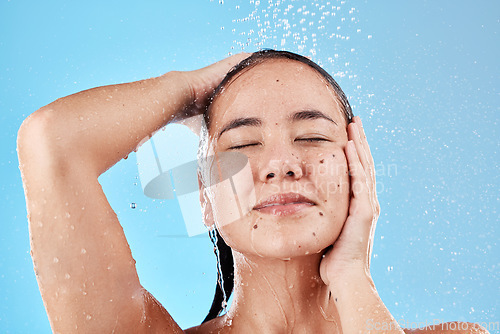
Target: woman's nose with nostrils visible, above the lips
{"x":280,"y":164}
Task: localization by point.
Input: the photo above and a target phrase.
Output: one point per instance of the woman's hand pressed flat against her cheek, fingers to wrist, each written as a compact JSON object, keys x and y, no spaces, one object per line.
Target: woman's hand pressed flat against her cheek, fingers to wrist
{"x":351,"y":251}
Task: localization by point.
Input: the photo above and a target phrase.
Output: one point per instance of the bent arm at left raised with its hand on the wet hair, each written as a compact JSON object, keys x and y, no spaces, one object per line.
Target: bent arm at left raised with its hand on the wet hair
{"x":84,"y":267}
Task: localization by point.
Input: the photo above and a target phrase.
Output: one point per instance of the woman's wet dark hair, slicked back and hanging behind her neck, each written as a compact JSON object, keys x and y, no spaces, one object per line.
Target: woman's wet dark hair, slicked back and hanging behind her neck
{"x":225,"y":263}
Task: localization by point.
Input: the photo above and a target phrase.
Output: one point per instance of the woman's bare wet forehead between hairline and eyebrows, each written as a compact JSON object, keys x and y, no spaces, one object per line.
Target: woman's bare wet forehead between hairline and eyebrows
{"x":273,"y":87}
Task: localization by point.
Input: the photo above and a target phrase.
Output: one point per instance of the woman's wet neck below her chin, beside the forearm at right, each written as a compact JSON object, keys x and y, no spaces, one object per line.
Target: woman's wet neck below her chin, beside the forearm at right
{"x":281,"y":295}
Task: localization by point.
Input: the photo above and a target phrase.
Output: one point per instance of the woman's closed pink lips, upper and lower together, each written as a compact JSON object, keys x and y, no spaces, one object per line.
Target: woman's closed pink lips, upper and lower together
{"x":284,"y":204}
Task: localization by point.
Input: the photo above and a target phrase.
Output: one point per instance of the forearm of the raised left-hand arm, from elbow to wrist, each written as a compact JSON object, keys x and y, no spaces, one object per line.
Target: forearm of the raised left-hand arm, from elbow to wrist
{"x":100,"y":126}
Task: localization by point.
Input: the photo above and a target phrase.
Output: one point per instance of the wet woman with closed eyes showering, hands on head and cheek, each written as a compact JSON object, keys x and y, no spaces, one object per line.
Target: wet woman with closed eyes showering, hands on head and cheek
{"x":311,"y":186}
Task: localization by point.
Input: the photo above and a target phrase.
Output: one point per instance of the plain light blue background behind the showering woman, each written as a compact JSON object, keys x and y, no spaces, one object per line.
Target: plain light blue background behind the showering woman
{"x":424,"y":77}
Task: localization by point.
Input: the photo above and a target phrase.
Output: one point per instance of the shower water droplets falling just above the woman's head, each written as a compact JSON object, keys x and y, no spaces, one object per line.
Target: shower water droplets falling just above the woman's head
{"x":327,"y":31}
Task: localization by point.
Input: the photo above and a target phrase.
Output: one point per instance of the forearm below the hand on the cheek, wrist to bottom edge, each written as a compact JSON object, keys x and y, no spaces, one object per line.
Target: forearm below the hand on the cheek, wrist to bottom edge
{"x":360,"y":308}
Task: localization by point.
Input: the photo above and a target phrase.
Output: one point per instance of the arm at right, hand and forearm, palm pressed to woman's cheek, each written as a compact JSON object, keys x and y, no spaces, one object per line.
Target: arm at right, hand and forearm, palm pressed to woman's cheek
{"x":346,"y":268}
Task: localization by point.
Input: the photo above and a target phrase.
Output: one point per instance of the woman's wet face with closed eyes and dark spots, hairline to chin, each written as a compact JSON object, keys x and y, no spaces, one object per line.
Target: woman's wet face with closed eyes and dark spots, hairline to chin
{"x":294,"y":198}
